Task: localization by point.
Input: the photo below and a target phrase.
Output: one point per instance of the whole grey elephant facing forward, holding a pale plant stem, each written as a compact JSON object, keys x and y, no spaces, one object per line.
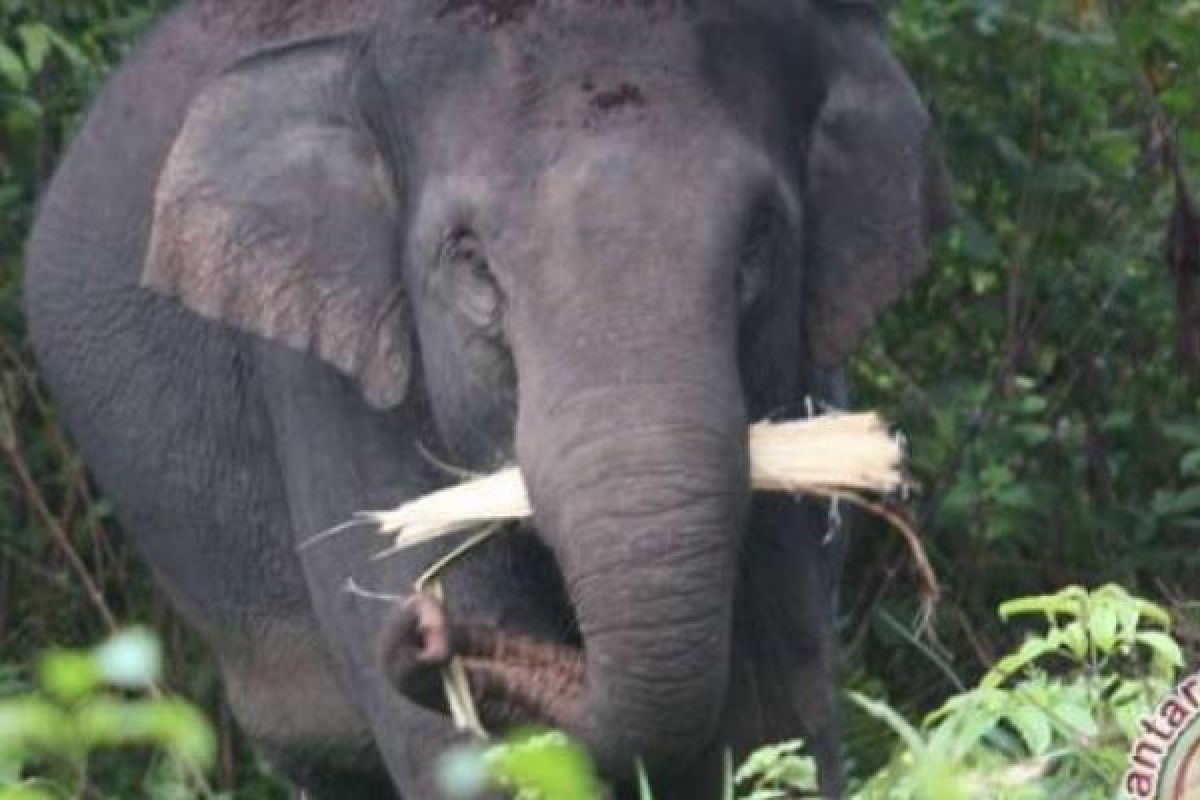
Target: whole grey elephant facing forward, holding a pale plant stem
{"x":303,"y":256}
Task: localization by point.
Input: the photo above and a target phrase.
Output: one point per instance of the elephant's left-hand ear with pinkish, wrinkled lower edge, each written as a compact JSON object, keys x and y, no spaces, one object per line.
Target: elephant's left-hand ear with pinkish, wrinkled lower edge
{"x":275,"y":213}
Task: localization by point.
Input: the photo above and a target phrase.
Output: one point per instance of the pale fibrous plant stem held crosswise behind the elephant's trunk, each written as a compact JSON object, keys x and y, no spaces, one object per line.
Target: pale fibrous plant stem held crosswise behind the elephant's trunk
{"x":829,"y":456}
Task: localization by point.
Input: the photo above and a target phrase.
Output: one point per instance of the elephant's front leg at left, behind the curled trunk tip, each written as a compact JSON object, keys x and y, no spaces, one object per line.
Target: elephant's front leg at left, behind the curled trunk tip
{"x":339,"y":458}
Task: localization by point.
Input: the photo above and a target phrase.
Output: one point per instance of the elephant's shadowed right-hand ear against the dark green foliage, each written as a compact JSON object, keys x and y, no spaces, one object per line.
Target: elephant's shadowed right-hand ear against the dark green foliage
{"x":877,"y":188}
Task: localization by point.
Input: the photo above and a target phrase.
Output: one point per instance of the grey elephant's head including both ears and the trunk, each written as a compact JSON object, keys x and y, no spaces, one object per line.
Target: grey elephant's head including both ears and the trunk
{"x":595,"y":238}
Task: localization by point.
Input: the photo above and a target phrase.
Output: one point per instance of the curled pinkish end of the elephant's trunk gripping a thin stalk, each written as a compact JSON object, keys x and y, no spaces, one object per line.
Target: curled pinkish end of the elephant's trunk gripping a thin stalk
{"x":514,"y":679}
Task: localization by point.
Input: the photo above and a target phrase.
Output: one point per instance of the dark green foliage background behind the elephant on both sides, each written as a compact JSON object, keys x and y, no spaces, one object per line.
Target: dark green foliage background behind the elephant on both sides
{"x":1041,"y":370}
